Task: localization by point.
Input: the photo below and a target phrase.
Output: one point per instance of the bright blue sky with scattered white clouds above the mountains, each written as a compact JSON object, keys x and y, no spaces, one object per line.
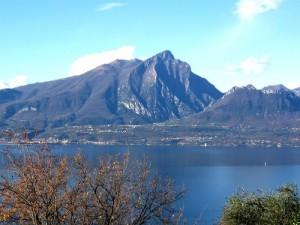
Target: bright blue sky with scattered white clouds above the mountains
{"x":229,"y":42}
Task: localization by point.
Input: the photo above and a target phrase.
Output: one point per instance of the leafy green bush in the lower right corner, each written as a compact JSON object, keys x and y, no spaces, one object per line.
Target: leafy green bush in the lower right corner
{"x":279,"y":208}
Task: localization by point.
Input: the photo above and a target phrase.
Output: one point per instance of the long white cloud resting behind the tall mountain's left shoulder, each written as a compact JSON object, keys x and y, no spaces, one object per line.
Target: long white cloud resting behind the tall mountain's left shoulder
{"x":89,"y":62}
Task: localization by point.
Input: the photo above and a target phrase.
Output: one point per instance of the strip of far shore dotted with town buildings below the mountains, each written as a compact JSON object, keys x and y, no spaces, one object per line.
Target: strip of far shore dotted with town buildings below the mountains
{"x":157,"y":134}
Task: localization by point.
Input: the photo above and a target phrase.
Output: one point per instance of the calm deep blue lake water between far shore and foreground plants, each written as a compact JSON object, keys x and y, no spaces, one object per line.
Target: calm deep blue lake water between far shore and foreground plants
{"x":210,"y":175}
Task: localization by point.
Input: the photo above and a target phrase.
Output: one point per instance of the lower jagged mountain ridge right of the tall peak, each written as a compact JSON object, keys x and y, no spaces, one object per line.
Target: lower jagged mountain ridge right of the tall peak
{"x":273,"y":105}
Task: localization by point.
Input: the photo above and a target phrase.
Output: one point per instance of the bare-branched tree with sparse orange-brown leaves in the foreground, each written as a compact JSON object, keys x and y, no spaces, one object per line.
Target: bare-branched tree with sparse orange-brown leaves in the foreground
{"x":42,"y":189}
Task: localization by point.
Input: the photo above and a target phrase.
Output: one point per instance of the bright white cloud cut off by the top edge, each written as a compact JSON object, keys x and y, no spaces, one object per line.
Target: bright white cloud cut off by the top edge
{"x":247,"y":9}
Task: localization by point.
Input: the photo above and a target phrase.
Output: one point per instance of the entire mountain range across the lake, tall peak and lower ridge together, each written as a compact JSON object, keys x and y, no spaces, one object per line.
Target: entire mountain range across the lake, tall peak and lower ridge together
{"x":155,"y":90}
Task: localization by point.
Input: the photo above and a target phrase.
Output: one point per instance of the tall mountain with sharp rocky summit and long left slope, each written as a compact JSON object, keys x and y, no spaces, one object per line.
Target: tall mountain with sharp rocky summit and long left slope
{"x":122,"y":92}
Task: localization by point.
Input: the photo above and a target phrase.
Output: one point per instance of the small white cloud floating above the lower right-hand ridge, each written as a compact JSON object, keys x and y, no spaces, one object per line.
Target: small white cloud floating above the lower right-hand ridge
{"x":250,"y":65}
